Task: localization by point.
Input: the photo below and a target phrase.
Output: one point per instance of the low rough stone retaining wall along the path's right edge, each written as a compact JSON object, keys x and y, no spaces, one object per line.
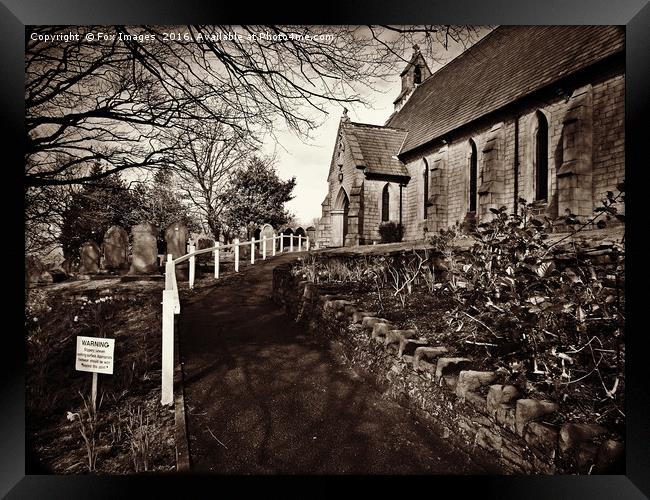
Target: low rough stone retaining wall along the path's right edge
{"x":469,"y":405}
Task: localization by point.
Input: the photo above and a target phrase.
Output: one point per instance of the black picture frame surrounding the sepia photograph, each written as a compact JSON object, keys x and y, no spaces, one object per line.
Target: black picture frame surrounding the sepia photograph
{"x":634,"y":14}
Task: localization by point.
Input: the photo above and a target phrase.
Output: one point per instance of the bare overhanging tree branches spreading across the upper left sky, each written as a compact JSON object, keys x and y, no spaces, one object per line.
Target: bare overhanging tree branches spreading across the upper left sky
{"x":115,"y":99}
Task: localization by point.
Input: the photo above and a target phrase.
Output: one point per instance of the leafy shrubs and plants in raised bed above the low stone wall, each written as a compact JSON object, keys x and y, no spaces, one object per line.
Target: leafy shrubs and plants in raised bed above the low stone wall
{"x":544,"y":312}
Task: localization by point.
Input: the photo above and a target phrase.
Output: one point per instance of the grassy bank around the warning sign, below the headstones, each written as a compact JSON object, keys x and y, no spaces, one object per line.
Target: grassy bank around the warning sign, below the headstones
{"x":130,"y":432}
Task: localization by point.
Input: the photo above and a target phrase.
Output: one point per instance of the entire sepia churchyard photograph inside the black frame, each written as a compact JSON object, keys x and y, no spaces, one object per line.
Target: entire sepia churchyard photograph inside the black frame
{"x":455,"y":304}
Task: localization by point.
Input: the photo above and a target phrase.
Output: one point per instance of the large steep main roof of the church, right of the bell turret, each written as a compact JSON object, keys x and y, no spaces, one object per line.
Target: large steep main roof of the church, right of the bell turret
{"x":507,"y":64}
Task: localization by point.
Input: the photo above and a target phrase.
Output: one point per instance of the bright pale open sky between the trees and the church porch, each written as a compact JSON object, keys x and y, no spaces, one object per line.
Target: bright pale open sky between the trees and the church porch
{"x":309,"y":162}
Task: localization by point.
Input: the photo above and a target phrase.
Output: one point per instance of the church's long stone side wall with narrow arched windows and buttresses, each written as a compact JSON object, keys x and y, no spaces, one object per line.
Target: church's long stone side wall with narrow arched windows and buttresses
{"x":586,"y":144}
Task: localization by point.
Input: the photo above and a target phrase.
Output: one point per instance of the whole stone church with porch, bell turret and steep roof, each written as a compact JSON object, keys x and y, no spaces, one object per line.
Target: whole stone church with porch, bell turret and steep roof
{"x":533,"y":112}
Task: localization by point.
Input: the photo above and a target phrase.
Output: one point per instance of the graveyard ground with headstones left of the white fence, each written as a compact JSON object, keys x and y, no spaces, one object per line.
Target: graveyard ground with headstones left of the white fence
{"x":113,"y":290}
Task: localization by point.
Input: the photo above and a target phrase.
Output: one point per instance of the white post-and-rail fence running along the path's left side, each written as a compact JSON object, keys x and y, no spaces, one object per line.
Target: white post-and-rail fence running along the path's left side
{"x":171,"y":303}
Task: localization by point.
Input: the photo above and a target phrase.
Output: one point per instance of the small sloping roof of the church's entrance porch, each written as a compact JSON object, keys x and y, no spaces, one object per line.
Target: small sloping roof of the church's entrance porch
{"x":375,"y":148}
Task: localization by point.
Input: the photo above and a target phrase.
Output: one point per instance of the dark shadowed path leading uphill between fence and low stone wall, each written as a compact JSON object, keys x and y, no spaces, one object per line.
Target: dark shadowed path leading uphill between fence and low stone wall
{"x":262,"y":397}
